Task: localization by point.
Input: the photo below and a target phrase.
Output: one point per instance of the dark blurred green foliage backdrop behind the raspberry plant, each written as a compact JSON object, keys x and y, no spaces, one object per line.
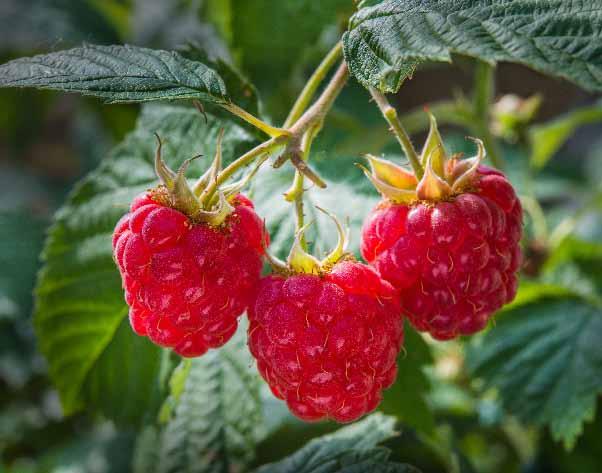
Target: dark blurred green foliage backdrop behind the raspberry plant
{"x":48,"y":141}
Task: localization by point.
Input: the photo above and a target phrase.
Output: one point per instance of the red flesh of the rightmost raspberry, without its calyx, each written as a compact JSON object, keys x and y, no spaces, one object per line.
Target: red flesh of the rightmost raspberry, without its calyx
{"x":453,"y":262}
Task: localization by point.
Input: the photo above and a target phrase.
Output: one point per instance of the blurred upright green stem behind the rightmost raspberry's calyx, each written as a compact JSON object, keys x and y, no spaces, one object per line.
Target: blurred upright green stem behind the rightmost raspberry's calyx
{"x":484,"y":91}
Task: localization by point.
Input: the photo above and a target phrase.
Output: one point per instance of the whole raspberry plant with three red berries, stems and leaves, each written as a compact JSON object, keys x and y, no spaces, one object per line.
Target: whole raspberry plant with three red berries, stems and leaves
{"x":195,"y":302}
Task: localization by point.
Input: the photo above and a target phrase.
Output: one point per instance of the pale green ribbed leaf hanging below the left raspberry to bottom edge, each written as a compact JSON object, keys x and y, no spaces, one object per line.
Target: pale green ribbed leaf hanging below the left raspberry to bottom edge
{"x":218,"y":419}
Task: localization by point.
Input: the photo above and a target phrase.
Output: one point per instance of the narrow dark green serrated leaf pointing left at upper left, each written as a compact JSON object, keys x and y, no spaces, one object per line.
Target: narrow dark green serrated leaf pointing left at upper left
{"x":117,"y":74}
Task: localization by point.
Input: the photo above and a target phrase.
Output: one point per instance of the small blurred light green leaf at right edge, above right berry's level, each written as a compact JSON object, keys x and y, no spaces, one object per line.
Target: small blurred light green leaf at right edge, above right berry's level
{"x":547,"y":138}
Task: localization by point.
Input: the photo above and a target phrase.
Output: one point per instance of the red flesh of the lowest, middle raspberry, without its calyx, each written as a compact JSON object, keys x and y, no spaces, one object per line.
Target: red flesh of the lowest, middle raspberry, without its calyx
{"x":327,"y":345}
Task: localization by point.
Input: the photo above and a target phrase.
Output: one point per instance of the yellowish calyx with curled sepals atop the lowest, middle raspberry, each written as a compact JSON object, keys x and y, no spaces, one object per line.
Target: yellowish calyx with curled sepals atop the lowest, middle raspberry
{"x":299,"y":261}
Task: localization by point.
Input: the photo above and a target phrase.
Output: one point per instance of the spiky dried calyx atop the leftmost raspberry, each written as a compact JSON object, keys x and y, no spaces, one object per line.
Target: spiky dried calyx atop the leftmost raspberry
{"x":199,"y":203}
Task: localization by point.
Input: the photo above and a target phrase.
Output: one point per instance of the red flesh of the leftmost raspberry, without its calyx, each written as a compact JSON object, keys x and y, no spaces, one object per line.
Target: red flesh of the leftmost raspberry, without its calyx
{"x":186,"y":285}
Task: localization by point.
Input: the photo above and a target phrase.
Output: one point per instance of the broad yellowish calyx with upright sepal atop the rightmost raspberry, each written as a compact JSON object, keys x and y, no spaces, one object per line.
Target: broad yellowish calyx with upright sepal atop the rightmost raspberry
{"x":443,"y":176}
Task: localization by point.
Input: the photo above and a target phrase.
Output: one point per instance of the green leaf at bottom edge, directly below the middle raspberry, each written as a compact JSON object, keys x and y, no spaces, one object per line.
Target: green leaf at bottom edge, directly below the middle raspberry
{"x":342,"y":449}
